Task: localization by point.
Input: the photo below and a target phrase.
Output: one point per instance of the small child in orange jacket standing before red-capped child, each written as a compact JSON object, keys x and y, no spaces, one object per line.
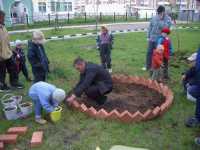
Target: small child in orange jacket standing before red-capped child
{"x":157,"y":61}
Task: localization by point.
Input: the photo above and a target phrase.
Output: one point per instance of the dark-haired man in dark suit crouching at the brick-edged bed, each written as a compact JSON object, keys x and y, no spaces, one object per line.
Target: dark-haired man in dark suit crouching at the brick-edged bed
{"x":95,"y":81}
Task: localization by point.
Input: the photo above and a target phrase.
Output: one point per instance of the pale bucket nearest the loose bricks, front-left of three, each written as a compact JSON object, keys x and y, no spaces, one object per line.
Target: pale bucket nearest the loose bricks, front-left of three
{"x":10,"y":112}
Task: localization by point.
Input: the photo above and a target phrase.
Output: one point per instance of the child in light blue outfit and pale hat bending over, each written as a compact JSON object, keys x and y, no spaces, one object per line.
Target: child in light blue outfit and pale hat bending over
{"x":46,"y":96}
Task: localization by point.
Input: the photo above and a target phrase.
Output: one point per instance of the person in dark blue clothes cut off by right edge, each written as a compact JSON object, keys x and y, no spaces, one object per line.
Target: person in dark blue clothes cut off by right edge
{"x":194,"y":90}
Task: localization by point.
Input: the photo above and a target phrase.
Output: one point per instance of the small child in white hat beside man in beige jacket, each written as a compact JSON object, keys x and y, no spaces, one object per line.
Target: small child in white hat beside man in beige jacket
{"x":20,"y":59}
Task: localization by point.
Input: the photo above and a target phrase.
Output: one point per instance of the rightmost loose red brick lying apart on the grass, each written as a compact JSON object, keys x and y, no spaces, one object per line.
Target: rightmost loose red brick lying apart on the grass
{"x":37,"y":138}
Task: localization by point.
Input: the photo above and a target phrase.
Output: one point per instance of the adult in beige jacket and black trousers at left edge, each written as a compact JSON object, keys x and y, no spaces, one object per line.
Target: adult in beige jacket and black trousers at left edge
{"x":6,"y":62}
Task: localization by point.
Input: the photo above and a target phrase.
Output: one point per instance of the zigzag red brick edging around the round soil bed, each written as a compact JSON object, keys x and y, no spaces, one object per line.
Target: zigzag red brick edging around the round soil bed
{"x":126,"y":116}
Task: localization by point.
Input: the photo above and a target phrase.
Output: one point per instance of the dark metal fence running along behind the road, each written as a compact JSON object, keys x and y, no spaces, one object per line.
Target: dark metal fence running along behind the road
{"x":79,"y":18}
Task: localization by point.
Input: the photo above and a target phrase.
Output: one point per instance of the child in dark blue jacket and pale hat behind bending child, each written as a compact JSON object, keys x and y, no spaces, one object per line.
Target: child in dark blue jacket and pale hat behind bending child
{"x":37,"y":57}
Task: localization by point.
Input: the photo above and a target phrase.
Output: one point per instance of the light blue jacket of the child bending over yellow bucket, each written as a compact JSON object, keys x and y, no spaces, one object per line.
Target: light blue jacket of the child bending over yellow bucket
{"x":42,"y":92}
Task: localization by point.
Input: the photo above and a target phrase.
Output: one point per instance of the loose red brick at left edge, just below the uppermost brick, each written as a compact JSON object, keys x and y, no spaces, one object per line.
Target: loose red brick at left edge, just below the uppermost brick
{"x":8,"y":138}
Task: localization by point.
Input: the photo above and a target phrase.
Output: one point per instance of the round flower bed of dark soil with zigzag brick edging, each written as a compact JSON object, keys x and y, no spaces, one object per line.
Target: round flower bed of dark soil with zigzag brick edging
{"x":156,"y":107}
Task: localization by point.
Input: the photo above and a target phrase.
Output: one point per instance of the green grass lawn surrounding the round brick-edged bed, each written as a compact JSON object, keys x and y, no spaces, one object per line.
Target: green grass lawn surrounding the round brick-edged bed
{"x":77,"y":131}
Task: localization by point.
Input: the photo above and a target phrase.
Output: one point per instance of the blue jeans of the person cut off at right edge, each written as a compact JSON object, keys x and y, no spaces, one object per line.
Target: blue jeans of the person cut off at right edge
{"x":194,"y":90}
